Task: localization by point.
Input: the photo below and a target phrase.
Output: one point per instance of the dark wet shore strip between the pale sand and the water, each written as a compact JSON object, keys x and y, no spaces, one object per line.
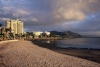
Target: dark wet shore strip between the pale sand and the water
{"x":84,"y":53}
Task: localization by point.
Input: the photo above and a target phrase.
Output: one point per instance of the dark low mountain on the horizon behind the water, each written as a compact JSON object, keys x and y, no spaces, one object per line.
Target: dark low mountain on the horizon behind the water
{"x":65,"y":34}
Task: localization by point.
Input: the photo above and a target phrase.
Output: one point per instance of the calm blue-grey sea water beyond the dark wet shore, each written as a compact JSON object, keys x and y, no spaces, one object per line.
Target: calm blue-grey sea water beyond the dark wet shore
{"x":79,"y":43}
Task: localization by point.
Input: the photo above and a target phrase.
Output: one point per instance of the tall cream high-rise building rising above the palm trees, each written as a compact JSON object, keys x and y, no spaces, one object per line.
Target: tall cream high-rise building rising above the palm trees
{"x":16,"y":26}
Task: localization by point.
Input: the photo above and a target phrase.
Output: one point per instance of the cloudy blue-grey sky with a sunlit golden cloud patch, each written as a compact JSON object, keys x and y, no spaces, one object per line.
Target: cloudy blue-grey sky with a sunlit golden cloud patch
{"x":80,"y":16}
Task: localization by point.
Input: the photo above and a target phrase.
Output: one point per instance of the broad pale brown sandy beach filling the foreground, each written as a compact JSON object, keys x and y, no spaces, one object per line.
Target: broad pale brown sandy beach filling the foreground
{"x":27,"y":54}
